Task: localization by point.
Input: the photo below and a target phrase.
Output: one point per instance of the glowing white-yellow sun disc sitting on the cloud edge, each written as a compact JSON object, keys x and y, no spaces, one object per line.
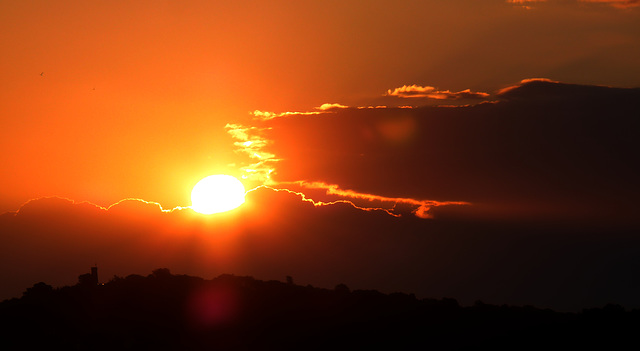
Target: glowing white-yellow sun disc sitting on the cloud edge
{"x":217,"y":193}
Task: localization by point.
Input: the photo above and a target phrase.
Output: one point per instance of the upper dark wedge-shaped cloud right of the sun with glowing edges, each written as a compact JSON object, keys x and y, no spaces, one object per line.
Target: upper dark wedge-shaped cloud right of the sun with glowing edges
{"x":538,"y":152}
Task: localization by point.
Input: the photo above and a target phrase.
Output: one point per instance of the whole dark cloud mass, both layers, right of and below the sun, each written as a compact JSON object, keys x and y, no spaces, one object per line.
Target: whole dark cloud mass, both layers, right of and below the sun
{"x":552,"y":221}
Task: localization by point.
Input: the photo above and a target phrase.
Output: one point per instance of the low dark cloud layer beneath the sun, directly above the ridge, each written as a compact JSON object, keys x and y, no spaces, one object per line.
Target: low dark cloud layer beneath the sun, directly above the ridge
{"x":275,"y":234}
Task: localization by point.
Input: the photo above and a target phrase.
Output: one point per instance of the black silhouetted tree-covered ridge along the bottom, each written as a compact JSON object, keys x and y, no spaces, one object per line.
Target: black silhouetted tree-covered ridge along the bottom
{"x":163,"y":311}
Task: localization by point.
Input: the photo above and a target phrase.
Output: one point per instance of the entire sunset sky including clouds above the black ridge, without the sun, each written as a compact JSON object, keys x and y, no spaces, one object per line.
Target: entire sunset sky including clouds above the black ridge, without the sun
{"x":475,"y":149}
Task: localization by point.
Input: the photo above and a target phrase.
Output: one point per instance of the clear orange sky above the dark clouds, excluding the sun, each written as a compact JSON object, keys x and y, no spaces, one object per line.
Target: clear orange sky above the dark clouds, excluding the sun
{"x":134,"y":97}
